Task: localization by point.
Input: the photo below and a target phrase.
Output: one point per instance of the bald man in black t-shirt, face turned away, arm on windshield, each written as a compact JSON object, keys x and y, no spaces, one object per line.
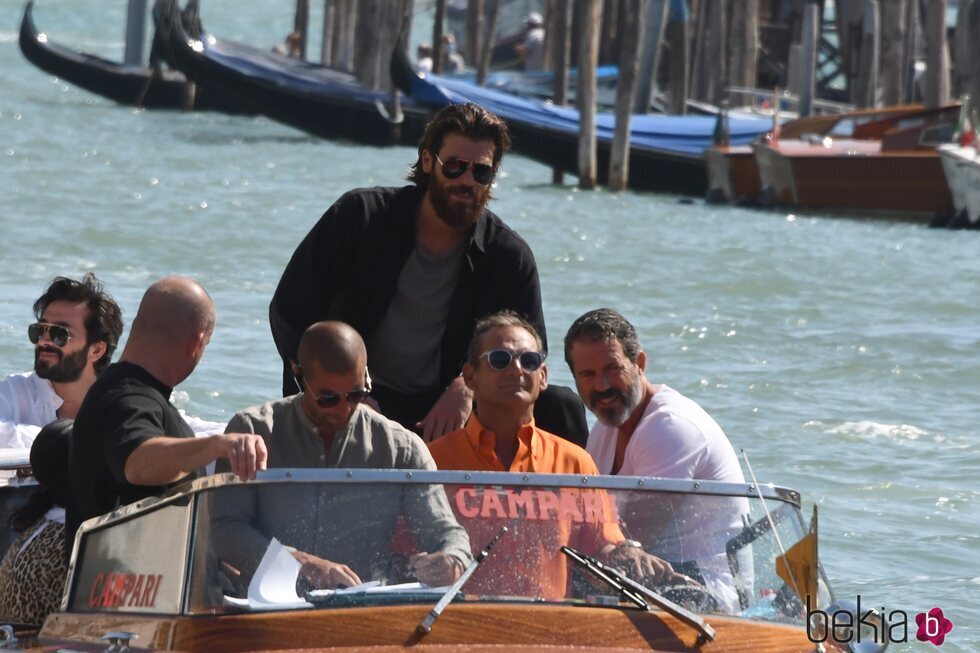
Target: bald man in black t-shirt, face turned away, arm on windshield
{"x":129,"y":441}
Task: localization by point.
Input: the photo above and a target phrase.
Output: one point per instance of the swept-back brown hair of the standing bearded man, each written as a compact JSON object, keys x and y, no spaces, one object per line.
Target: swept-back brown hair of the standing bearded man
{"x":469,"y":120}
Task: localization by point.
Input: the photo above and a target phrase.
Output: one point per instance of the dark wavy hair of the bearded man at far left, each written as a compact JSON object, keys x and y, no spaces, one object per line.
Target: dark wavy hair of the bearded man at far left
{"x":104,"y":320}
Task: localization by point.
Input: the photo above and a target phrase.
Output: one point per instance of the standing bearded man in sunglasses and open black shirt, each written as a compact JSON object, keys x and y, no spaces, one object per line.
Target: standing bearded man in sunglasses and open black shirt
{"x":412,"y":269}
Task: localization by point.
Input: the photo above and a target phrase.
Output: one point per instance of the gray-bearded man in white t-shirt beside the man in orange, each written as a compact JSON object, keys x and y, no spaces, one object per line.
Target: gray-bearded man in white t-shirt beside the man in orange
{"x":645,"y":429}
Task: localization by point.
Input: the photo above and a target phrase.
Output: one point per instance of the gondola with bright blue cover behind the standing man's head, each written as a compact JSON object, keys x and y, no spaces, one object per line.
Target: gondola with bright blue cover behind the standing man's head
{"x":666,"y":151}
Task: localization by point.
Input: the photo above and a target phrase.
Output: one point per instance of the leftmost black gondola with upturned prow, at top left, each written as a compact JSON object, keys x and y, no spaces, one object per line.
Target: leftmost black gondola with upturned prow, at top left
{"x":140,"y":86}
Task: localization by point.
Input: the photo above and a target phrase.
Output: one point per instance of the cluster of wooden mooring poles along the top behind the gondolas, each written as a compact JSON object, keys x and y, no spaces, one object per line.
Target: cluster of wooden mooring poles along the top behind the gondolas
{"x":708,"y":47}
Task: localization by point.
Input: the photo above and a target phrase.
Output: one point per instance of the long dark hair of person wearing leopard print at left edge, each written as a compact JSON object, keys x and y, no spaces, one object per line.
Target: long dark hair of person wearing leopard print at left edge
{"x":49,"y":462}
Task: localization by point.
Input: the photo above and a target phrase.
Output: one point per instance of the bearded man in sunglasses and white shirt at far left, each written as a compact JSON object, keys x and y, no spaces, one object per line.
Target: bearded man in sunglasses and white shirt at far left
{"x":77,"y":329}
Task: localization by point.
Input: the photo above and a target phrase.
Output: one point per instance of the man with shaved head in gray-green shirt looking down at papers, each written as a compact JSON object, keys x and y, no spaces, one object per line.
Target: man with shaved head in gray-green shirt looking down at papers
{"x":341,"y":533}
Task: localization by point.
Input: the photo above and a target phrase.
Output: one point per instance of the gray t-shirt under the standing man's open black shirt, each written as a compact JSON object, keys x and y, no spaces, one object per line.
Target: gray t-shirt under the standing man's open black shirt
{"x":404,"y":353}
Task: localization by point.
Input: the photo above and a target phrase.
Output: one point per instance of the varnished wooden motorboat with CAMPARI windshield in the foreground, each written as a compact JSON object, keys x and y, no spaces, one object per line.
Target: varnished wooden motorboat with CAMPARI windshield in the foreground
{"x":182,"y":572}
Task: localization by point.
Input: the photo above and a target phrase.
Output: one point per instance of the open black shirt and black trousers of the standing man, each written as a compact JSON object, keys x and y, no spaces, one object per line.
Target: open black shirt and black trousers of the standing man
{"x":347,"y":268}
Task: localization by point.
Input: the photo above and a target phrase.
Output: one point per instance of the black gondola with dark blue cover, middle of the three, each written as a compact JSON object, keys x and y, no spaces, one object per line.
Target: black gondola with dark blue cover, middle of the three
{"x":316,"y":99}
